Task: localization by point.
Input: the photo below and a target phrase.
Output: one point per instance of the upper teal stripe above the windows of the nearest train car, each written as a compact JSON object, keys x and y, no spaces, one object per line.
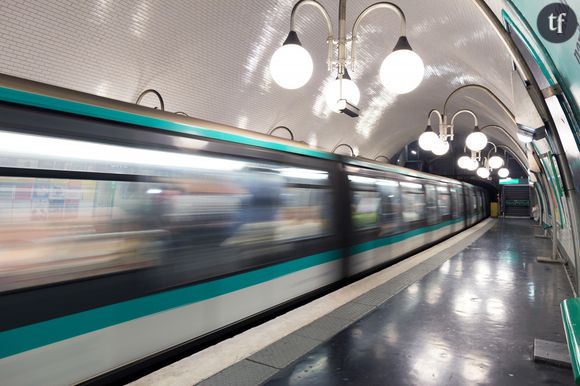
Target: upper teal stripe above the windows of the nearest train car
{"x":63,"y":105}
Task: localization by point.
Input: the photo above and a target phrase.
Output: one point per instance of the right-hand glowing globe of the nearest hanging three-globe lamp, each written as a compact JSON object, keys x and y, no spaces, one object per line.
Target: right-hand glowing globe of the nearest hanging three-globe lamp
{"x":402,"y":70}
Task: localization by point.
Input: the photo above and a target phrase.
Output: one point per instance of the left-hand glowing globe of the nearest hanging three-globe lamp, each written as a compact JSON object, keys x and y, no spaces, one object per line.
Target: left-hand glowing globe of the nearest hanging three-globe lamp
{"x":291,"y":65}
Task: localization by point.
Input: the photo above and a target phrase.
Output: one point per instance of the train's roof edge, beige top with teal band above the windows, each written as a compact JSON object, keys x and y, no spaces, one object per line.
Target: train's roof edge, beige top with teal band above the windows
{"x":29,"y":93}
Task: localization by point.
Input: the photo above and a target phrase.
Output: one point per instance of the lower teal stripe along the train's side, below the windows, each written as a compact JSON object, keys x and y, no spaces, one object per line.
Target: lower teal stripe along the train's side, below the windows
{"x":36,"y":335}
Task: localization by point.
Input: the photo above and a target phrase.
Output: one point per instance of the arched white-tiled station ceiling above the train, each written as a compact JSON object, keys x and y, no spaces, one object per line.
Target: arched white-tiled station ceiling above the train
{"x":210,"y":59}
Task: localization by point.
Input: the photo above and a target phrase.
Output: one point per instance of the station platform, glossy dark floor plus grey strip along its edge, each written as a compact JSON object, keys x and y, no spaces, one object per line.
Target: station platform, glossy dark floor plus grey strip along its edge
{"x":467,"y":314}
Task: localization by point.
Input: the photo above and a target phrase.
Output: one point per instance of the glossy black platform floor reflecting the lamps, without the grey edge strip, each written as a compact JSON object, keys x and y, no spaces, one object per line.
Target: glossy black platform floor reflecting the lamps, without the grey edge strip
{"x":471,"y":321}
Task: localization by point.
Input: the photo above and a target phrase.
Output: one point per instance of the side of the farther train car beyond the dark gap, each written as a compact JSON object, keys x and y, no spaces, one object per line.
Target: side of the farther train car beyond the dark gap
{"x":398,"y":211}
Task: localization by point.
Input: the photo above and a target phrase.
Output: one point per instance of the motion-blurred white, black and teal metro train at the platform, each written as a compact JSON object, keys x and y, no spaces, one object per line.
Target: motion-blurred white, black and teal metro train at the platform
{"x":127,"y":233}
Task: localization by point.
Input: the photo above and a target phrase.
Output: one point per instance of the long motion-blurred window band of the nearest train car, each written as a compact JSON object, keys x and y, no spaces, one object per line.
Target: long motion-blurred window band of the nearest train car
{"x":191,"y":220}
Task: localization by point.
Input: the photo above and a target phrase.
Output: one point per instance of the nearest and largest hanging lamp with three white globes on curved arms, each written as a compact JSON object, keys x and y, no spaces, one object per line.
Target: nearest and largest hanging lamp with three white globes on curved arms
{"x":291,"y":65}
